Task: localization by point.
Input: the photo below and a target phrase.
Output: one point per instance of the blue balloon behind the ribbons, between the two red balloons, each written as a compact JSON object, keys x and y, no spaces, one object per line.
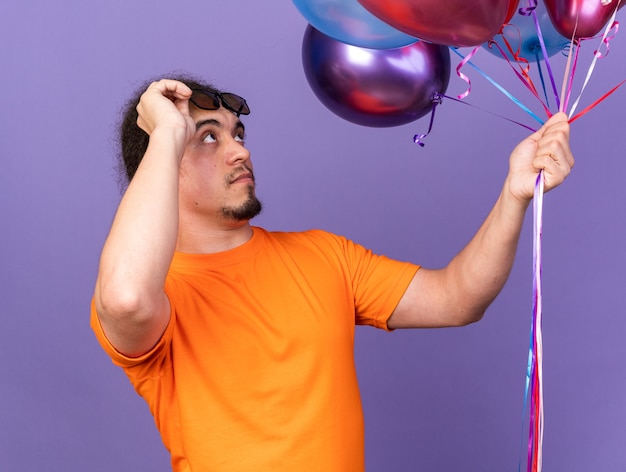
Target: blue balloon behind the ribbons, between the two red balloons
{"x":521,"y":34}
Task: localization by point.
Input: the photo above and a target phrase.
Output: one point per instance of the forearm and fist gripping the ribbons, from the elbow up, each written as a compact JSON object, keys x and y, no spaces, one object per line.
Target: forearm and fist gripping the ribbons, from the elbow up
{"x":479,"y":272}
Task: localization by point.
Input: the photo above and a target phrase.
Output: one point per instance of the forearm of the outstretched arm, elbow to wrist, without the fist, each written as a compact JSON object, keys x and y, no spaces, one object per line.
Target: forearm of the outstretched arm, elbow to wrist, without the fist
{"x":477,"y":274}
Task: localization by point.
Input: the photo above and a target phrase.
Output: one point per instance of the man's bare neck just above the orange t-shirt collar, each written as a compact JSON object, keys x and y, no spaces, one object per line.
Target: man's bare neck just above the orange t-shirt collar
{"x":213,"y":239}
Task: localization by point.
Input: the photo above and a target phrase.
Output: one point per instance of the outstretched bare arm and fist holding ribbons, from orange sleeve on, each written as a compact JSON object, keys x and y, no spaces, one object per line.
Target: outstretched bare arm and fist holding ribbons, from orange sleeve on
{"x":461,"y":292}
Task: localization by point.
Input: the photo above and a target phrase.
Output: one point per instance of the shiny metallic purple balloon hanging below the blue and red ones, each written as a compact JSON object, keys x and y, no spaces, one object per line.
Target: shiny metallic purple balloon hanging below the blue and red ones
{"x":375,"y":87}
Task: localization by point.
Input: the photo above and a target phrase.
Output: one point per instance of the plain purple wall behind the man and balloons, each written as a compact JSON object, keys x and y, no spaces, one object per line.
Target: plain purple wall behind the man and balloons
{"x":435,"y":400}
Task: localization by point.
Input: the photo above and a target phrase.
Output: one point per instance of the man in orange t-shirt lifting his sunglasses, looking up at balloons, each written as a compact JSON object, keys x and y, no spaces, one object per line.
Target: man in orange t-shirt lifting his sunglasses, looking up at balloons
{"x":241,"y":340}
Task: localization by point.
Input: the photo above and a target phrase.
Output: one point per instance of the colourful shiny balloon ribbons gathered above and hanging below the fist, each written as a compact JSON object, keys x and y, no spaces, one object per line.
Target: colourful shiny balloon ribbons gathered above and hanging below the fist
{"x":533,"y":410}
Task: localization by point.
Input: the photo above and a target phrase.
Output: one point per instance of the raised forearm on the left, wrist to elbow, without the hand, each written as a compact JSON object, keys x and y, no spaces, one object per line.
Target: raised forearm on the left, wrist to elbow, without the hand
{"x":139,"y":248}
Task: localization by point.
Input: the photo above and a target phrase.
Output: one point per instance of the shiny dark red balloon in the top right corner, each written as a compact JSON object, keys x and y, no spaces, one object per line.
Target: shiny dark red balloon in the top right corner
{"x":591,"y":16}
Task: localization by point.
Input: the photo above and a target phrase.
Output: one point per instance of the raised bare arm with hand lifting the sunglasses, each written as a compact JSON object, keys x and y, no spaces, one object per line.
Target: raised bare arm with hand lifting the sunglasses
{"x":129,"y":296}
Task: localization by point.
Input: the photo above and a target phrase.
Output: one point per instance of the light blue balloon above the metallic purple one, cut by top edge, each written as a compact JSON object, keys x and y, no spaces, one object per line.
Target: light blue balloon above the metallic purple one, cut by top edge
{"x":349,"y":22}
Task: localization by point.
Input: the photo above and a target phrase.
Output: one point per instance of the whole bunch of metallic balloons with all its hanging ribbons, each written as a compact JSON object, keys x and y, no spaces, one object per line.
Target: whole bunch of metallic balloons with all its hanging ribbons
{"x":387,"y":62}
